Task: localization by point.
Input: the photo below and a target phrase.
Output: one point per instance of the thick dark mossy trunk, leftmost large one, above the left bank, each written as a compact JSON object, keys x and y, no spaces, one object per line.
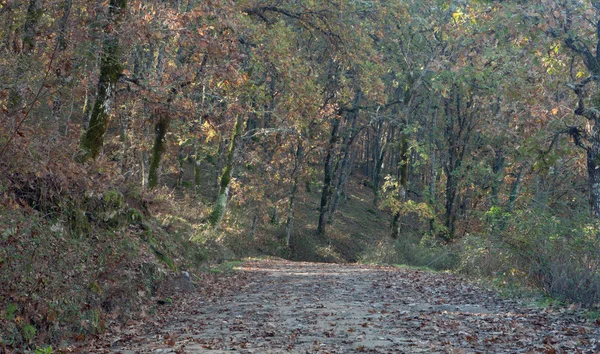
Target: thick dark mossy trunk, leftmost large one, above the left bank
{"x":110,"y":71}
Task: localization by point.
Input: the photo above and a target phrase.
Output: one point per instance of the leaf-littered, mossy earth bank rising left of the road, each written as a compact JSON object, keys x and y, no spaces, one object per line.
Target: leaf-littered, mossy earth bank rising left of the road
{"x":78,"y":253}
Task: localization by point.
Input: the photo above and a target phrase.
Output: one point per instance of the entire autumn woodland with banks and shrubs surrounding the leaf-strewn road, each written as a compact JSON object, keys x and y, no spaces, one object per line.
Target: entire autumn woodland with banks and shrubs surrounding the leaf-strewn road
{"x":139,"y":136}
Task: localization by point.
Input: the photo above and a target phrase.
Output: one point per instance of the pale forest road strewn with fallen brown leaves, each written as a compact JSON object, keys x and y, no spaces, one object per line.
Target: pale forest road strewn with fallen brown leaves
{"x":276,"y":306}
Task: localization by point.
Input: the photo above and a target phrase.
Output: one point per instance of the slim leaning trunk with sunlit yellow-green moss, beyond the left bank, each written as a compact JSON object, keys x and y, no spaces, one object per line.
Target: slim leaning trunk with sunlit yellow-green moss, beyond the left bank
{"x":224,"y":184}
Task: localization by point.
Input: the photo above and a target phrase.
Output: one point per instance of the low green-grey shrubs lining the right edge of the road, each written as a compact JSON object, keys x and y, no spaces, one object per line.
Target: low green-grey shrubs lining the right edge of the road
{"x":558,"y":255}
